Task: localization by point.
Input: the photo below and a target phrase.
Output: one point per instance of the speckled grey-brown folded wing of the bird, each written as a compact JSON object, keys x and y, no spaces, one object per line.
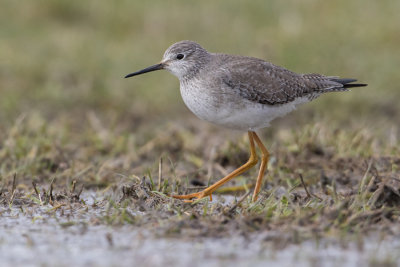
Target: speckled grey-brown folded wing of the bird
{"x":265,"y":83}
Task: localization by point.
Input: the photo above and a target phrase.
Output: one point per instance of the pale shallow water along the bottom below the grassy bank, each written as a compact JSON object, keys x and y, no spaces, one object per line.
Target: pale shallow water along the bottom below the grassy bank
{"x":39,"y":239}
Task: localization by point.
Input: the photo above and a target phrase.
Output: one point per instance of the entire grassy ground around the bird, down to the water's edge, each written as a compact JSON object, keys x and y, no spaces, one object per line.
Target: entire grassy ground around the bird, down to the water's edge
{"x":67,"y":114}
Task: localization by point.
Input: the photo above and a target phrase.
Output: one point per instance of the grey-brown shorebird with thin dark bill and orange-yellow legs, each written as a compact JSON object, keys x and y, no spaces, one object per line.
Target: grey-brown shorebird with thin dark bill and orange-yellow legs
{"x":242,"y":93}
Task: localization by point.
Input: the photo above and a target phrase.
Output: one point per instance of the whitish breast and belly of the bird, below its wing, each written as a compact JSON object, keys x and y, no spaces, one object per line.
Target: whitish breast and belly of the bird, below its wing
{"x":231,"y":110}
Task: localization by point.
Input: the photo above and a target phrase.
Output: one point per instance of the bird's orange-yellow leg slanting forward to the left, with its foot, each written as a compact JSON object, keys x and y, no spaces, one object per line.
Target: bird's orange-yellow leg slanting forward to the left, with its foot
{"x":209,"y":190}
